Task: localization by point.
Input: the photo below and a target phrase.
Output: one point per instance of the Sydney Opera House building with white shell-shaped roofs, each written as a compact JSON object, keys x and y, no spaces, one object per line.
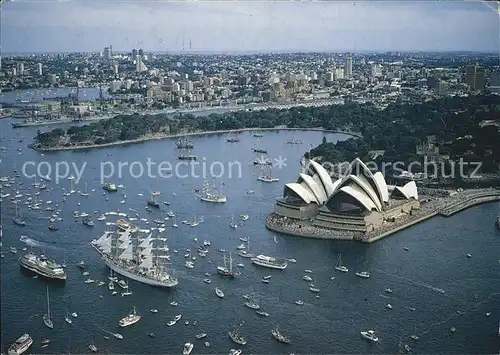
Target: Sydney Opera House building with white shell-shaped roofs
{"x":348,"y":208}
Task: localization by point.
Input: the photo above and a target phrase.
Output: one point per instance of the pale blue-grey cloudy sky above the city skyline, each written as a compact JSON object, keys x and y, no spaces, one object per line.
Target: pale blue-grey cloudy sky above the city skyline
{"x":245,"y":26}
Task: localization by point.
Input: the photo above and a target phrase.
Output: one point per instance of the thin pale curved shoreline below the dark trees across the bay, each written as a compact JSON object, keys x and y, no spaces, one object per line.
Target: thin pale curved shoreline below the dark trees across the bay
{"x":154,"y":137}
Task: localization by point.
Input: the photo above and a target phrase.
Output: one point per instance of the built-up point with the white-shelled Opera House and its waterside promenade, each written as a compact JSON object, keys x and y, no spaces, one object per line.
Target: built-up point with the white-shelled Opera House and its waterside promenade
{"x":361,"y":206}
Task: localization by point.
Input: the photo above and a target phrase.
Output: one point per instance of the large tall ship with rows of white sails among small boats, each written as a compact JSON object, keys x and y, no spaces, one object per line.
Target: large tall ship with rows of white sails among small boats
{"x":143,"y":259}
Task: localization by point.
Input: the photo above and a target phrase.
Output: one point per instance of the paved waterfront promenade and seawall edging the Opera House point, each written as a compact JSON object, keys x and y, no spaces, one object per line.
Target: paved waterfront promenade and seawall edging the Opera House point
{"x":477,"y":197}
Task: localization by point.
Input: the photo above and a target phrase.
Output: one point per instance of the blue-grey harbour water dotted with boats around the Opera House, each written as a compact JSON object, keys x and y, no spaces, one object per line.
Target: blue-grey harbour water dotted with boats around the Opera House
{"x":436,"y":259}
